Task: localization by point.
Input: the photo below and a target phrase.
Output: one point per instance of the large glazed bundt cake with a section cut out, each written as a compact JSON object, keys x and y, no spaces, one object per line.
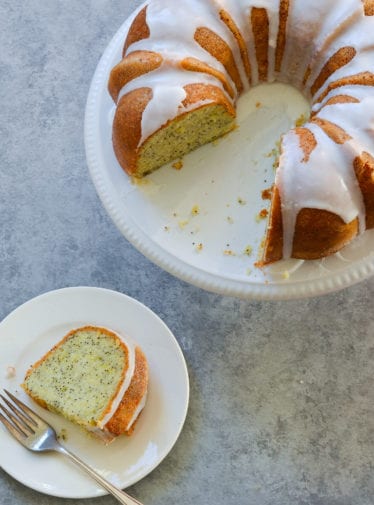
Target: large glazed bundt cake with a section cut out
{"x":184,"y":65}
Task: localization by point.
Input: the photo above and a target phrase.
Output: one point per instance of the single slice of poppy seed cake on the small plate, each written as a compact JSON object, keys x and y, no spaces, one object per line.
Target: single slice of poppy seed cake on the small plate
{"x":94,"y":378}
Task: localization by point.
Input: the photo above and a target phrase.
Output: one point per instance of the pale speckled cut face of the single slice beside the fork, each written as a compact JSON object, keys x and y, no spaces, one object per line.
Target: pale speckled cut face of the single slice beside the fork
{"x":78,"y":378}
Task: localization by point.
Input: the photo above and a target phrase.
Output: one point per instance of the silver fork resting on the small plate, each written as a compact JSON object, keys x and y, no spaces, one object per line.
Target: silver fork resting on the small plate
{"x":37,"y":435}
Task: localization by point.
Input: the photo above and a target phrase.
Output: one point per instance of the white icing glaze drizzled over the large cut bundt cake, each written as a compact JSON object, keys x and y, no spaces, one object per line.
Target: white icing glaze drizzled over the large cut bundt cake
{"x":315,"y":31}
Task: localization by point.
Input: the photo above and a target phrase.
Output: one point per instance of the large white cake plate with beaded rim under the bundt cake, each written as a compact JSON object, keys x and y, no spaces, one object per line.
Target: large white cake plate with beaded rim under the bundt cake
{"x":156,"y":215}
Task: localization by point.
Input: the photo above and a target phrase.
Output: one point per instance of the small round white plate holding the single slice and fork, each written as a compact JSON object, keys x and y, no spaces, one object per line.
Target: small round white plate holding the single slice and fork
{"x":32,"y":329}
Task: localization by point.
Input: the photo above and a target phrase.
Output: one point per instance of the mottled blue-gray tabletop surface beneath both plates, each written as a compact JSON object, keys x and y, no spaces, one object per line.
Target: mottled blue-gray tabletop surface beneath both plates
{"x":282,"y":393}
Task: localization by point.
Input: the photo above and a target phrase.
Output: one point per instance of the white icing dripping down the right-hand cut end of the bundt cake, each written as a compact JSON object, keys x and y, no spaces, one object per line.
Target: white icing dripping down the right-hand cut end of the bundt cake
{"x":325,"y":182}
